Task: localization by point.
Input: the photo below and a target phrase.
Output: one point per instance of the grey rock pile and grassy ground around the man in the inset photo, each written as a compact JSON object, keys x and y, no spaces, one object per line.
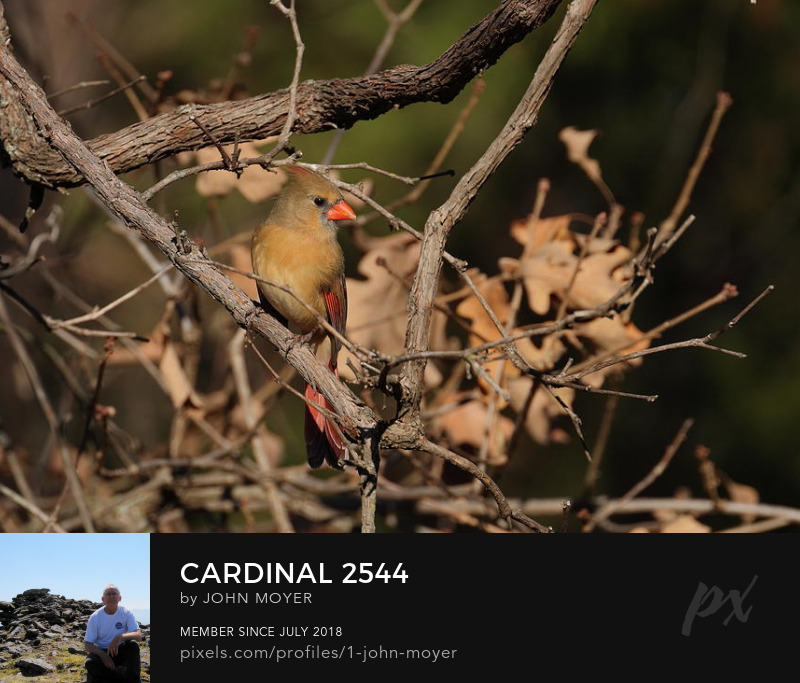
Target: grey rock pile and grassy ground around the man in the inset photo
{"x":41,"y":638}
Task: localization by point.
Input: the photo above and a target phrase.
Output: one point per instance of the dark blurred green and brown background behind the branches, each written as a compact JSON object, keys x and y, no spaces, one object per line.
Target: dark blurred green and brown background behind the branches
{"x":644,"y":73}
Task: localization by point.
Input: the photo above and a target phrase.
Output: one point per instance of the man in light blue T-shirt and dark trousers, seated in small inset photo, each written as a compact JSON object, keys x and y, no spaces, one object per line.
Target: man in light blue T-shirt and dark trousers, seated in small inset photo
{"x":111,"y":636}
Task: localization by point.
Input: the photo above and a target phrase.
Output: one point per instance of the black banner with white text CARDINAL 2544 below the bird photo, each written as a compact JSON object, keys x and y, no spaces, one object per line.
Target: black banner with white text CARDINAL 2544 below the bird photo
{"x":238,"y":605}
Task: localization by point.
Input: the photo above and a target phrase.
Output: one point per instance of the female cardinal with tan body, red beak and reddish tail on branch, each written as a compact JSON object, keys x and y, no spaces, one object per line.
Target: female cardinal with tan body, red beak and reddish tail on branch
{"x":296,"y":247}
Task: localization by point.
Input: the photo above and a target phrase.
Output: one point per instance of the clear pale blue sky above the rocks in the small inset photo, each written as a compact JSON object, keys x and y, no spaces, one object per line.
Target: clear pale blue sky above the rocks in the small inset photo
{"x":77,"y":566}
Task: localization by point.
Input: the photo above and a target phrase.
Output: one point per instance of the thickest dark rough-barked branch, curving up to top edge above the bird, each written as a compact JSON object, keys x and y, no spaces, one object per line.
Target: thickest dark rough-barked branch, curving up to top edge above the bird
{"x":321,"y":105}
